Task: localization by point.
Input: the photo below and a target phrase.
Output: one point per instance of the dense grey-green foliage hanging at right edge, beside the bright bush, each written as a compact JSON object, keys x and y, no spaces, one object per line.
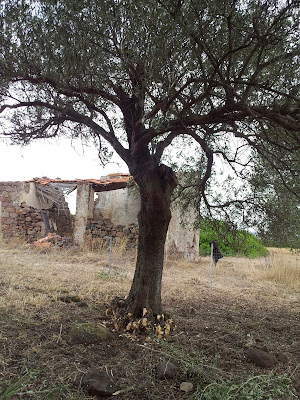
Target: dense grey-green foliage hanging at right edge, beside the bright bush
{"x":276,"y":209}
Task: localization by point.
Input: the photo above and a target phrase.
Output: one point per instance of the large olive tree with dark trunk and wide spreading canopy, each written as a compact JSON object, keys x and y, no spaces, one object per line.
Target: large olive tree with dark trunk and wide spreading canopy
{"x":138,"y":76}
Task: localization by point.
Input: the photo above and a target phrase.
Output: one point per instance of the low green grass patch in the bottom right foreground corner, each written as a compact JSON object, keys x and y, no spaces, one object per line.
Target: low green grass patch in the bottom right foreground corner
{"x":261,"y":387}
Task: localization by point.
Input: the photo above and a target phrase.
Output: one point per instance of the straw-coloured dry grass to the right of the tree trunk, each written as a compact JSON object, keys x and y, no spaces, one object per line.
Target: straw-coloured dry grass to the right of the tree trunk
{"x":263,"y":277}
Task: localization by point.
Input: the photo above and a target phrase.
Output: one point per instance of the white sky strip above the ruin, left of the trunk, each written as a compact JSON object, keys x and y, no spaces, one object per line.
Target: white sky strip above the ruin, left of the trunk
{"x":55,"y":158}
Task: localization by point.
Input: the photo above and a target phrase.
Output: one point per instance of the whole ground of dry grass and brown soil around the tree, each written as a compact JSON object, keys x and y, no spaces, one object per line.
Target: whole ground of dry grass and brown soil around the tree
{"x":245,"y":307}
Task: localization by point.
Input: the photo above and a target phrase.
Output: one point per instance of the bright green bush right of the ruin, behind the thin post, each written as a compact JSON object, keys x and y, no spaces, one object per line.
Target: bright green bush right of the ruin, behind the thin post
{"x":231,"y":241}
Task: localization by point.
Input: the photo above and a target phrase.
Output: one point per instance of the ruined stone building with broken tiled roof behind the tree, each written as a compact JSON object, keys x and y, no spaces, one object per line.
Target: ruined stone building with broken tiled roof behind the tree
{"x":105,"y":208}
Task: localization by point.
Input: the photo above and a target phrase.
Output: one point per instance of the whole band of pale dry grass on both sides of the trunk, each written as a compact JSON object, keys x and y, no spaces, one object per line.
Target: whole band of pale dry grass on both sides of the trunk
{"x":52,"y":272}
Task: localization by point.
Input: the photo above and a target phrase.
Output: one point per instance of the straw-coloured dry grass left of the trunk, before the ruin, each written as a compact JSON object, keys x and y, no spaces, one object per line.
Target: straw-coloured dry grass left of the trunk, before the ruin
{"x":53,"y":273}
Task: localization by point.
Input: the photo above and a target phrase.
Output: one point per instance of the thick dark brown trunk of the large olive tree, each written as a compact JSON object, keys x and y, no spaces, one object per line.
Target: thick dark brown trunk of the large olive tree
{"x":156,"y":188}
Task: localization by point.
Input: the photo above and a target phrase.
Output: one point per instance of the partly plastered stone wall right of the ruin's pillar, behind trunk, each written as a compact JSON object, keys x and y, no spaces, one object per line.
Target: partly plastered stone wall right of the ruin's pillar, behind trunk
{"x":115,"y":215}
